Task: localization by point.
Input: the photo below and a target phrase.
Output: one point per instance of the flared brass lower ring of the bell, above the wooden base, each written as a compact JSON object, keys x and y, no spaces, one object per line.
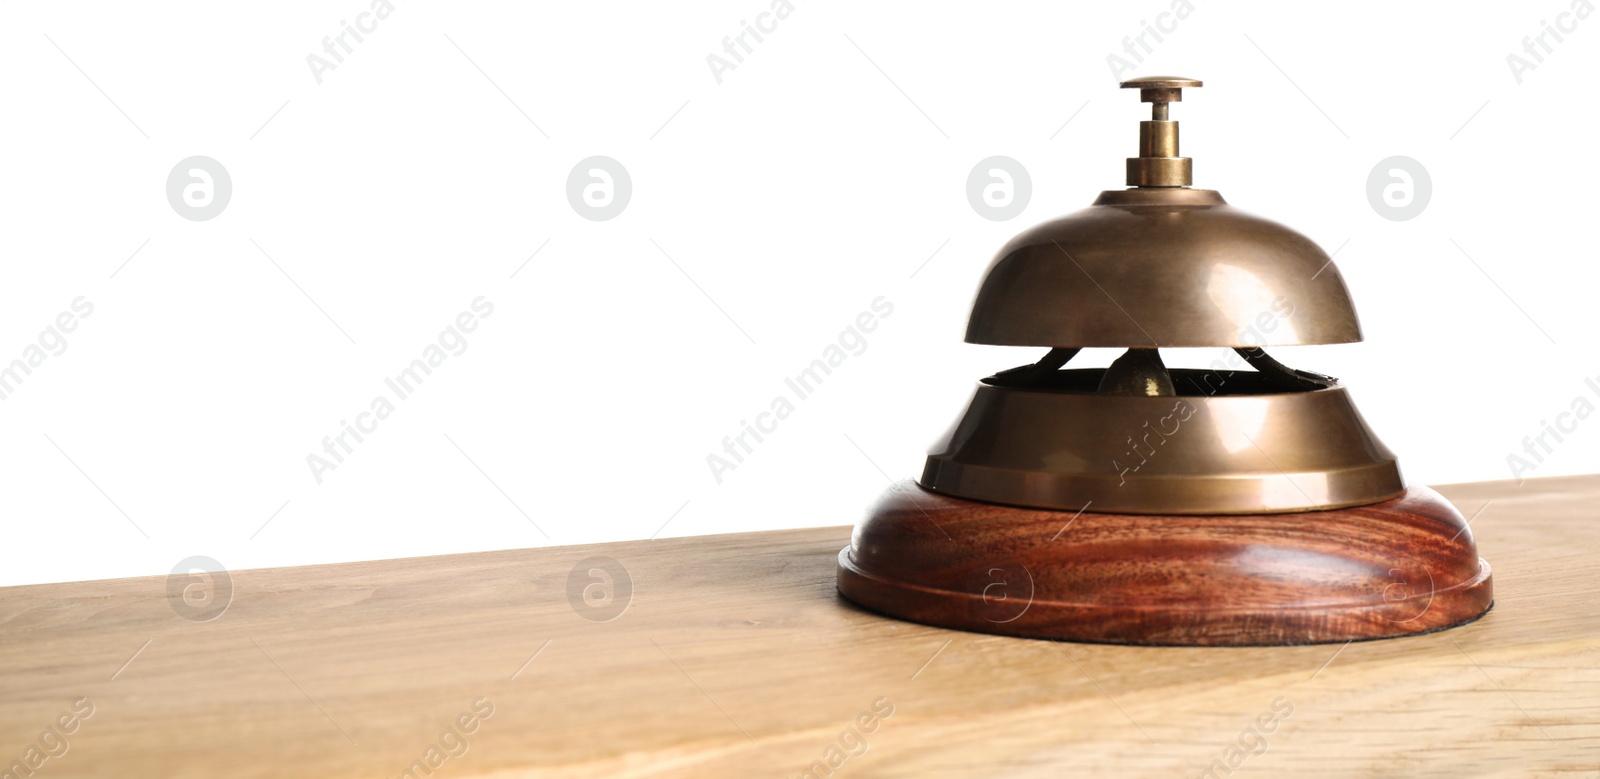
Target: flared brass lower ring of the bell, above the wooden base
{"x":1226,"y":444}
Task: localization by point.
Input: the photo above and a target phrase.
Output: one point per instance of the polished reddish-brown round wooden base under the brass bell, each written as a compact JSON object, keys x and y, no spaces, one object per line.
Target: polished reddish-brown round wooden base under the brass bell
{"x":1394,"y":569}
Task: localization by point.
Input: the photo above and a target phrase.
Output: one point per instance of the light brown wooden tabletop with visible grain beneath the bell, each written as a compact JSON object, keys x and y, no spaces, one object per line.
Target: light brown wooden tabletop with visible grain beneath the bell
{"x":737,"y":658}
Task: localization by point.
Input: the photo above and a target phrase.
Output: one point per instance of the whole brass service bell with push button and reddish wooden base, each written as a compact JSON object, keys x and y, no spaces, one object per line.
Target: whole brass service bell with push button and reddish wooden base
{"x":1241,"y":505}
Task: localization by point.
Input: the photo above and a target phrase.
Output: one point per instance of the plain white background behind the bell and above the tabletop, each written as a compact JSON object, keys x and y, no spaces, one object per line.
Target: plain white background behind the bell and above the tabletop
{"x":822,"y":175}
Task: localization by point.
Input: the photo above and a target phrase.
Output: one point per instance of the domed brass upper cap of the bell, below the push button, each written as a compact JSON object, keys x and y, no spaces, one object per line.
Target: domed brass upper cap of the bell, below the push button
{"x":1162,"y":268}
